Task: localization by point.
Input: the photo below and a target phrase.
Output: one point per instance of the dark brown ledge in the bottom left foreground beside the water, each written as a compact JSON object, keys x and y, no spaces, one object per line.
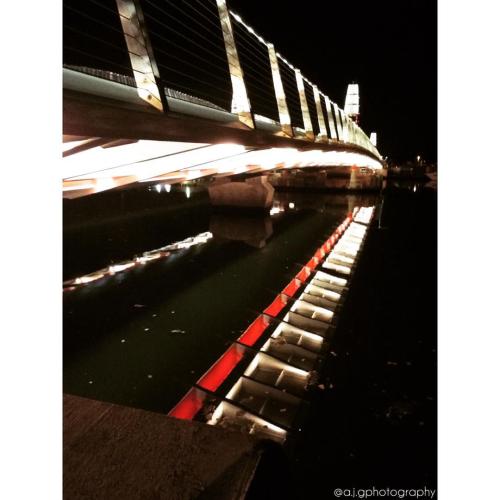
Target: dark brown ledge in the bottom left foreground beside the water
{"x":115,"y":452}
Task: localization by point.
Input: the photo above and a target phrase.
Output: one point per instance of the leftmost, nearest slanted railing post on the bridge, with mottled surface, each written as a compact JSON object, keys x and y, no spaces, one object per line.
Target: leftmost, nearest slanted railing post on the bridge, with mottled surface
{"x":142,"y":60}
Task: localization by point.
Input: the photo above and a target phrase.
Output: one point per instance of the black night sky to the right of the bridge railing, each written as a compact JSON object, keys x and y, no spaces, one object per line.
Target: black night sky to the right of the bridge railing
{"x":389,"y":47}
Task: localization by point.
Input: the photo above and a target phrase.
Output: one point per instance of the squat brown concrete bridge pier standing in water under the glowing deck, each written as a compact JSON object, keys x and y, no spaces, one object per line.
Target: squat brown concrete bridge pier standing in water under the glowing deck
{"x":255,"y":192}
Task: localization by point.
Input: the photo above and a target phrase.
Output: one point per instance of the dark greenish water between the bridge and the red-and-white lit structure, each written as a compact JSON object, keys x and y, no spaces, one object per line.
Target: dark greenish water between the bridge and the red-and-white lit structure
{"x":141,"y":338}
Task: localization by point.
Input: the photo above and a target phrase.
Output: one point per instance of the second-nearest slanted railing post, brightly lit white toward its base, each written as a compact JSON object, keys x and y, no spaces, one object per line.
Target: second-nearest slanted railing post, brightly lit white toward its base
{"x":240,"y":104}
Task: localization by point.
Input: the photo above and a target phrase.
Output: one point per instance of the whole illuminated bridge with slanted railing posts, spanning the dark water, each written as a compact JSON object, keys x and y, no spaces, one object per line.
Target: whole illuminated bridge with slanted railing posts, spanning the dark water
{"x":173,"y":91}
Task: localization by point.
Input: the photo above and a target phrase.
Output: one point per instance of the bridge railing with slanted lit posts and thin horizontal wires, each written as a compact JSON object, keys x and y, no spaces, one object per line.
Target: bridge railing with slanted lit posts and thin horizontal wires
{"x":187,"y":55}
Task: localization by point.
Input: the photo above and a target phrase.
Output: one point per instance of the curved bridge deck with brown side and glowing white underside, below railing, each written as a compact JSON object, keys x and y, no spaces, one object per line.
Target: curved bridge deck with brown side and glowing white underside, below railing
{"x":111,"y":140}
